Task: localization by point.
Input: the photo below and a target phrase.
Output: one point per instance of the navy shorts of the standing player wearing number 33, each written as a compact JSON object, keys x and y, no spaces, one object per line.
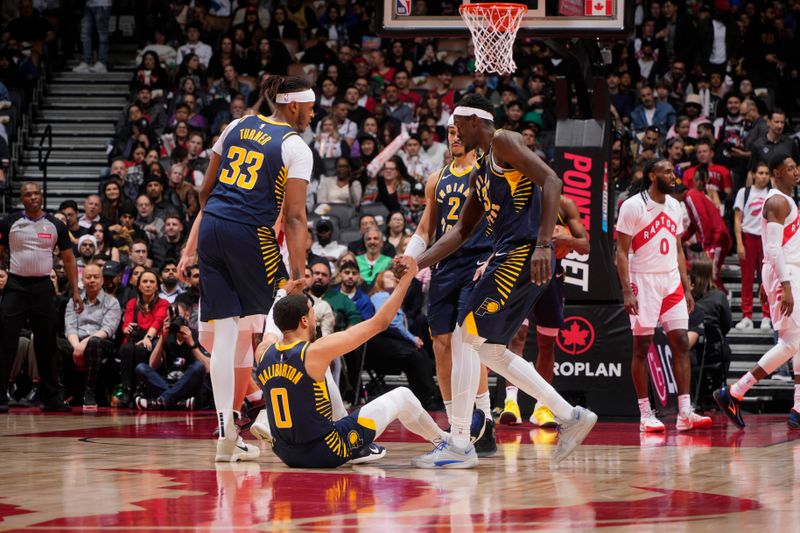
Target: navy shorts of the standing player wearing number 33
{"x":240,"y":268}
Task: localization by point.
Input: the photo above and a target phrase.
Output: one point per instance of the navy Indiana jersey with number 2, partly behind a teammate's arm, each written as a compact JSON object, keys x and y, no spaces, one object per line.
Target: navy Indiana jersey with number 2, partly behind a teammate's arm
{"x":452,"y":188}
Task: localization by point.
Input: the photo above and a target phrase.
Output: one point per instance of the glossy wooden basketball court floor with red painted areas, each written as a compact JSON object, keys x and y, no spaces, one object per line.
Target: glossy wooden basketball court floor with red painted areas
{"x":116,"y":471}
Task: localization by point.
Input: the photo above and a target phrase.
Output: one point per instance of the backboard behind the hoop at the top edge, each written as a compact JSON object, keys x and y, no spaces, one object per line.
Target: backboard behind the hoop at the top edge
{"x":545,"y":18}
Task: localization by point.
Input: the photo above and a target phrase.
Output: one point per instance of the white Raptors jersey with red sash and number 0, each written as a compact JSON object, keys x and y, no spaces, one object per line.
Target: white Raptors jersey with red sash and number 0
{"x":652,"y":228}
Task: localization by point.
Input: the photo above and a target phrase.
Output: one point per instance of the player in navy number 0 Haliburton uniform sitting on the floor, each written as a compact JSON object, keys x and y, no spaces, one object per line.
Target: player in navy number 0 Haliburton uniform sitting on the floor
{"x":292,"y":376}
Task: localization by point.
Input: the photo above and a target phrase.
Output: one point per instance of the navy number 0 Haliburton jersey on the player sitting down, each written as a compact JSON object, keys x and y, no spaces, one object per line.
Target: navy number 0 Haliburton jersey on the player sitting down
{"x":299,"y":408}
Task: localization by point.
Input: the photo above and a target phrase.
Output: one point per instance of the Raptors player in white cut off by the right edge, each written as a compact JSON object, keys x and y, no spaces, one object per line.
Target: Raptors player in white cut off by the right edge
{"x":780,"y":228}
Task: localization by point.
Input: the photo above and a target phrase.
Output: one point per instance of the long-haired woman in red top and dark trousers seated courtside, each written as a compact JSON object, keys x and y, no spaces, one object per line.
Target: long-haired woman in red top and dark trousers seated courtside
{"x":143,"y":320}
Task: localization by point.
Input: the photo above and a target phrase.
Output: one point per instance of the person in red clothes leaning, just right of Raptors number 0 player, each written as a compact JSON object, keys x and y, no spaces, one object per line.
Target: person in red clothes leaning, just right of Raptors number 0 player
{"x":705,"y":221}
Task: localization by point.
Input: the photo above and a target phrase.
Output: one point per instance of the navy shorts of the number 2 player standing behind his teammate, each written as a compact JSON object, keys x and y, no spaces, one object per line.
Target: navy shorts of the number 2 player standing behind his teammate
{"x":451,"y":284}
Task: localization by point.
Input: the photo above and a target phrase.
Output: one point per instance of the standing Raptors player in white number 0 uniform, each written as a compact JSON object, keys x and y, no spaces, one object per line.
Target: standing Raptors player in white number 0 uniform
{"x":655,"y":286}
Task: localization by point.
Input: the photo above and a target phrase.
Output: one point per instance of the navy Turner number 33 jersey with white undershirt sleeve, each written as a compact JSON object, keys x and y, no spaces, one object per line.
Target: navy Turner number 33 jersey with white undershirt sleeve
{"x":258,"y":155}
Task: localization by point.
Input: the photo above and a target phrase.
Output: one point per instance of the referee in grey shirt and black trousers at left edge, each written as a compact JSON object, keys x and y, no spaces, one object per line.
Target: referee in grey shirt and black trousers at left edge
{"x":31,"y":236}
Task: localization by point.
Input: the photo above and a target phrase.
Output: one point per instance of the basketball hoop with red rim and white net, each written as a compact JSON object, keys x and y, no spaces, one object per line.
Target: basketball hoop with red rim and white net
{"x":493,"y":27}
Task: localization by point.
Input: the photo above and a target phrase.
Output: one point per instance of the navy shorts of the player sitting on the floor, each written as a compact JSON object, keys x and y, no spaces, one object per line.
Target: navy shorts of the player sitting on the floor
{"x":332,"y":450}
